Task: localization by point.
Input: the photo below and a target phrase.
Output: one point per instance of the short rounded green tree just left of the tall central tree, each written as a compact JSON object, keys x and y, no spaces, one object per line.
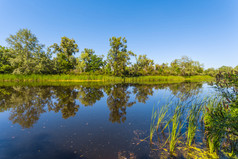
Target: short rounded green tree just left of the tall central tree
{"x":88,"y":61}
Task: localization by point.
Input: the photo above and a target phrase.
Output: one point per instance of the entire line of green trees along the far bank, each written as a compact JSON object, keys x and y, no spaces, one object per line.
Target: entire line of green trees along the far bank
{"x":26,"y":55}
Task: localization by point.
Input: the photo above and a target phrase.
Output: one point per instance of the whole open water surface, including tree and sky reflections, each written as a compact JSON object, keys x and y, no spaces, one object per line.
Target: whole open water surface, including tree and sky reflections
{"x":83,"y":121}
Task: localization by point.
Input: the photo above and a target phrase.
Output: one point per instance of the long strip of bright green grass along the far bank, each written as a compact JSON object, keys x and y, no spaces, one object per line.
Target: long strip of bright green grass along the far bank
{"x":97,"y":78}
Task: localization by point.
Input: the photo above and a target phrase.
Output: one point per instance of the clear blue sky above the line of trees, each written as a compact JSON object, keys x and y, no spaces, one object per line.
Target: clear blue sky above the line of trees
{"x":205,"y":30}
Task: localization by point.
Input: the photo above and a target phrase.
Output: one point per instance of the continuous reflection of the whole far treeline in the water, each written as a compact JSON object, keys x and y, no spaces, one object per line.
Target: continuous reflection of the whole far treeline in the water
{"x":27,"y":103}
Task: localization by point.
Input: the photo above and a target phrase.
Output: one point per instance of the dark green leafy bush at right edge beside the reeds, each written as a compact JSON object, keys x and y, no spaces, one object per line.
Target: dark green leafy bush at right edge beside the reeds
{"x":221,"y":116}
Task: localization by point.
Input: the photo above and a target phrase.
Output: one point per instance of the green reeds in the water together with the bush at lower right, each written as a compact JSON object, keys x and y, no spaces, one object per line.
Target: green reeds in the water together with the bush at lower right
{"x":218,"y":117}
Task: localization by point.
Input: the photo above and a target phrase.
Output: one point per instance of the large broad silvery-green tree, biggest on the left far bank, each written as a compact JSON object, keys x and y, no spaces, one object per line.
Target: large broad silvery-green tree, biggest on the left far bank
{"x":26,"y":52}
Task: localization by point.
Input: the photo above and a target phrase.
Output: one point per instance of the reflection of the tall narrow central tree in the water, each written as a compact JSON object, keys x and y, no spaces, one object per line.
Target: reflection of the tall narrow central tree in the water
{"x":118,"y":101}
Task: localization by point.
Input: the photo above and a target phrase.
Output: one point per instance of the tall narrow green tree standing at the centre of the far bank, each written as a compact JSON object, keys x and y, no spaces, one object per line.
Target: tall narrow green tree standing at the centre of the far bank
{"x":118,"y":57}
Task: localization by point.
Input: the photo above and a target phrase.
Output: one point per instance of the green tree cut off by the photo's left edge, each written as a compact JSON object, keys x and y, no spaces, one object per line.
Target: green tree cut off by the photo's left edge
{"x":5,"y":65}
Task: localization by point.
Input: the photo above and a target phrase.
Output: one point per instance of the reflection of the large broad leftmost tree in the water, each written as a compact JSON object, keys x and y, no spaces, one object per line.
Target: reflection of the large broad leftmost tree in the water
{"x":26,"y":104}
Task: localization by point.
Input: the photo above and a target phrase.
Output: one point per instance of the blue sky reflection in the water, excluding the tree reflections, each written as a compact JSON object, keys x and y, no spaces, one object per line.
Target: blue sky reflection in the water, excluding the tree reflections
{"x":88,"y":134}
